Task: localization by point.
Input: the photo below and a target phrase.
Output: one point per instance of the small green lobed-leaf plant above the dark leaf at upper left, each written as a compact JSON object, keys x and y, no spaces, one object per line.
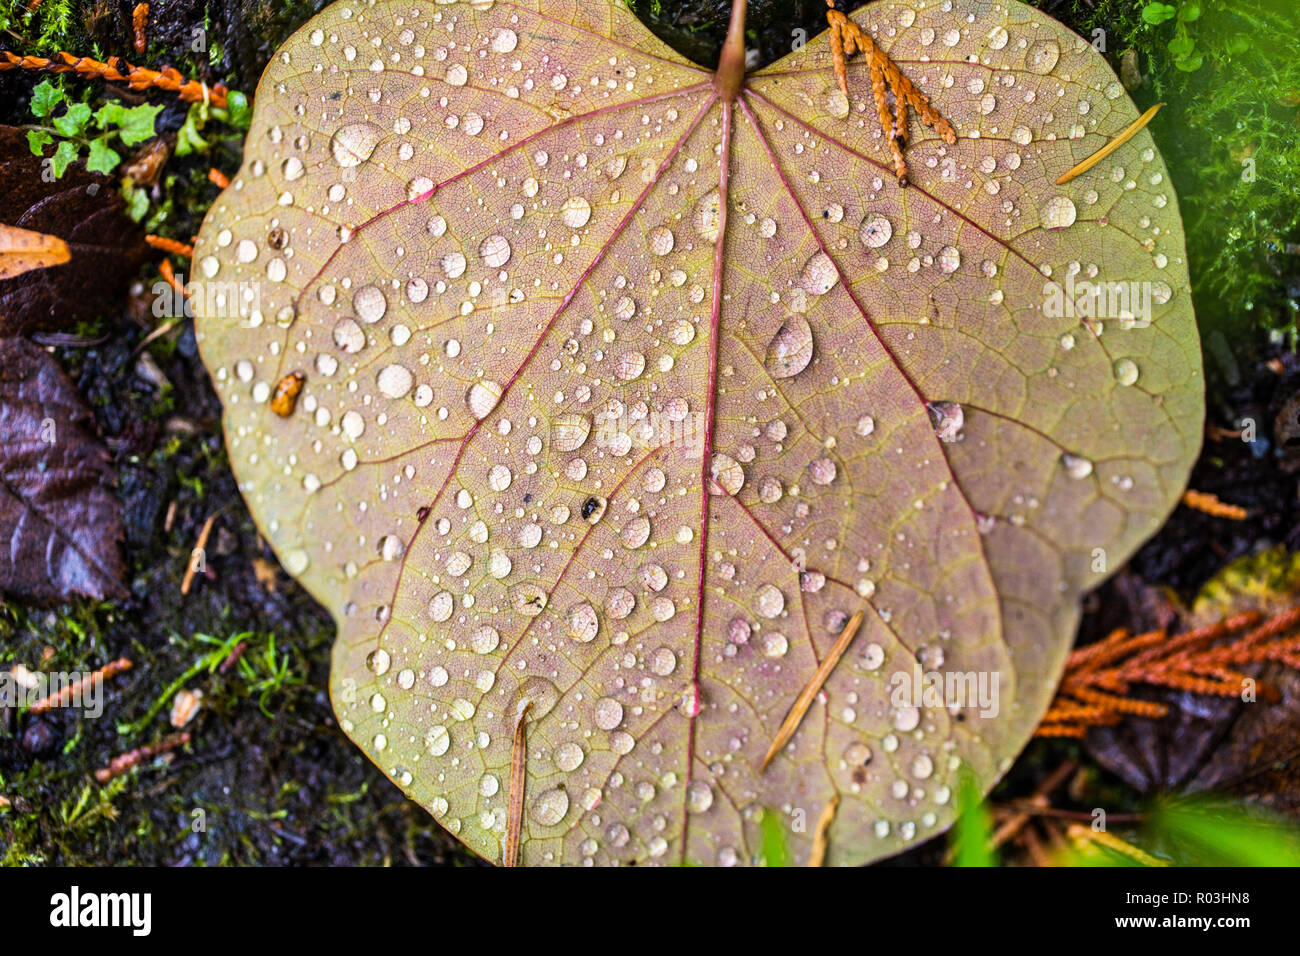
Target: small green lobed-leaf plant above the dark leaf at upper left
{"x":77,"y":129}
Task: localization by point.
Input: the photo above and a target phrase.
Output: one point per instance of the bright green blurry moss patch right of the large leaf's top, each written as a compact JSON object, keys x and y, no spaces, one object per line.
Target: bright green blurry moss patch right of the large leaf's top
{"x":1230,"y":133}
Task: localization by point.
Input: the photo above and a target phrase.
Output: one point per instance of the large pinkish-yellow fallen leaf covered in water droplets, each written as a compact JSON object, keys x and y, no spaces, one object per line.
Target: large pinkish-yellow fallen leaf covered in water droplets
{"x":618,"y":401}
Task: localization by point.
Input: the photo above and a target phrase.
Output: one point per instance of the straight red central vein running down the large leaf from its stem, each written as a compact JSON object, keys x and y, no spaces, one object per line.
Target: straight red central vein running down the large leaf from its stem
{"x":708,"y":455}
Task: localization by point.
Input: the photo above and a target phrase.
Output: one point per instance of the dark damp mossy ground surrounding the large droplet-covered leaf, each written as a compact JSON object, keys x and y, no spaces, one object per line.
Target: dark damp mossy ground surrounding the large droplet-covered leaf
{"x":275,"y":780}
